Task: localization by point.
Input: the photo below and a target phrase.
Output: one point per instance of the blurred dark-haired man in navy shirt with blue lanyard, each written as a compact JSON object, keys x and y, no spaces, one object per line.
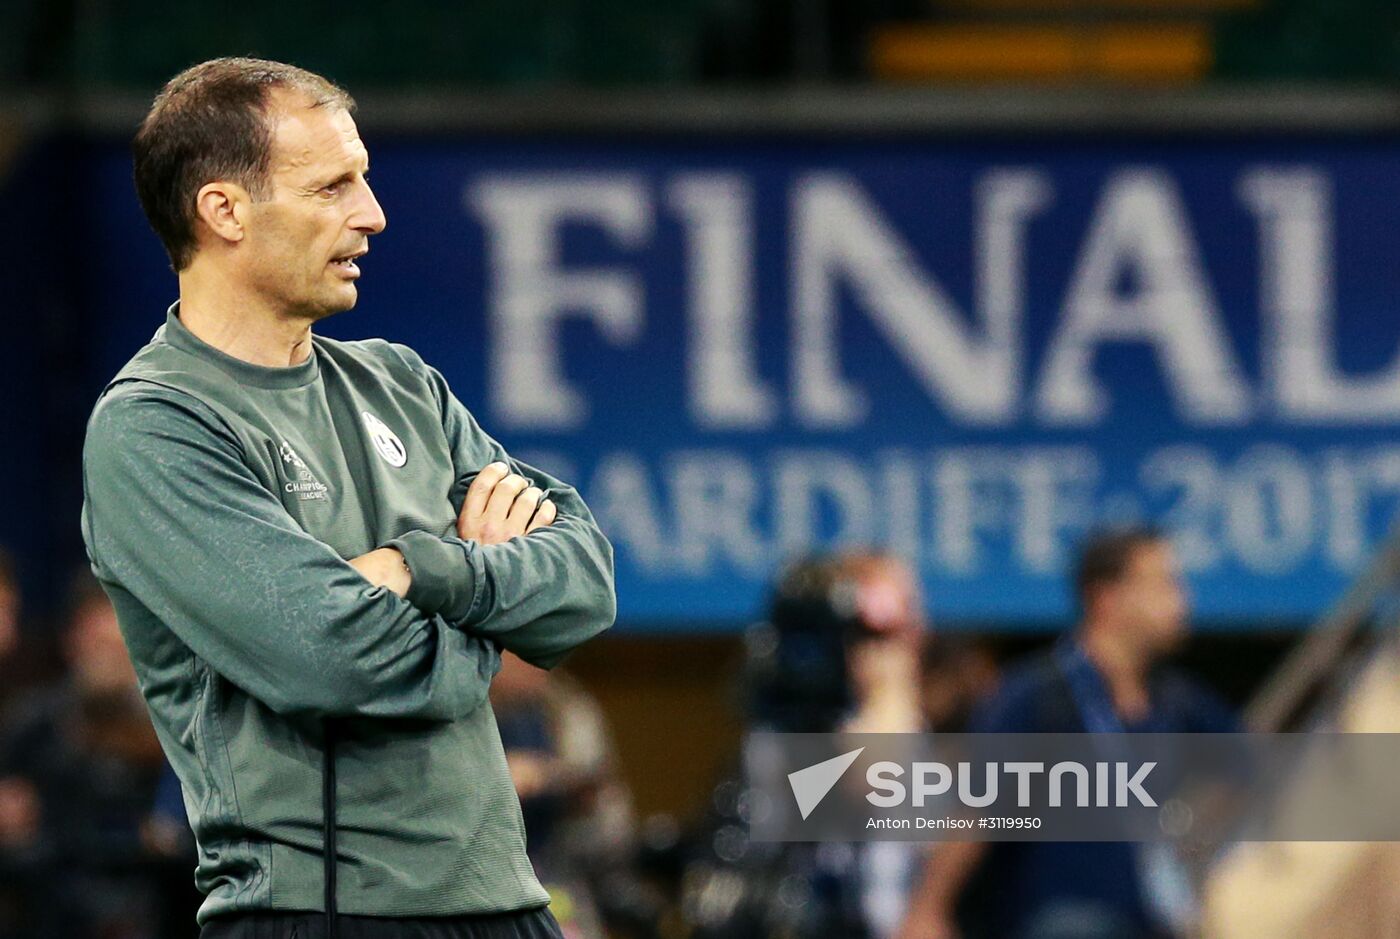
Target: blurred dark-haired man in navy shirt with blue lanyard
{"x":1107,"y":677}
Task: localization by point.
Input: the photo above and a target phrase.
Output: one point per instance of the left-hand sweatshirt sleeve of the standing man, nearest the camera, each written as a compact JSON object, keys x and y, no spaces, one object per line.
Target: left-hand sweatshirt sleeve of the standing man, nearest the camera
{"x":177,"y":518}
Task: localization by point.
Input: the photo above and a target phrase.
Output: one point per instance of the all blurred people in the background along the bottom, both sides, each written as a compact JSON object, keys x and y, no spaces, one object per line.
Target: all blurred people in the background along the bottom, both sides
{"x":94,"y":843}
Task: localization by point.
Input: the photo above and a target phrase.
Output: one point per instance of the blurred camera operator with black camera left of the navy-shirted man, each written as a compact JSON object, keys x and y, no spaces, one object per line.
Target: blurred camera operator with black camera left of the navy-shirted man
{"x":841,"y":653}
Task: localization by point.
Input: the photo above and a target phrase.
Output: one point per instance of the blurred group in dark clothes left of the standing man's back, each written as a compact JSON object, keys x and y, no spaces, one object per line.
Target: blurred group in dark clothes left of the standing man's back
{"x":93,"y":838}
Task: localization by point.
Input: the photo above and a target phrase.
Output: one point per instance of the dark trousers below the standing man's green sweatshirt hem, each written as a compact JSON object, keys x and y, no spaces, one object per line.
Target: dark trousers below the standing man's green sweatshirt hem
{"x":528,"y":924}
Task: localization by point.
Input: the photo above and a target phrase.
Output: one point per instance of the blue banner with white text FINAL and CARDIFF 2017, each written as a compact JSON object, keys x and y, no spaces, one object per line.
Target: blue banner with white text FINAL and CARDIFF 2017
{"x":967,"y":353}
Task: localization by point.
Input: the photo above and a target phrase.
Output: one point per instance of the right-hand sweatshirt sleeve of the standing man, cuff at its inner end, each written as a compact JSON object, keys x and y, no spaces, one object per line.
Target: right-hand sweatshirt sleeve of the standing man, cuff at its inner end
{"x":540,"y":595}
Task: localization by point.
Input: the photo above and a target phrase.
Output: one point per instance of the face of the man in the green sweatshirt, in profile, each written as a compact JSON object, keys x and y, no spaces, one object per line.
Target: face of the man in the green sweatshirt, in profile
{"x":303,"y":240}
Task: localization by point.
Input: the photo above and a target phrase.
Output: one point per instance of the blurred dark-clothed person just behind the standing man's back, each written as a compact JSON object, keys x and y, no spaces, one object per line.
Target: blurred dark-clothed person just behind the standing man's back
{"x":86,"y":762}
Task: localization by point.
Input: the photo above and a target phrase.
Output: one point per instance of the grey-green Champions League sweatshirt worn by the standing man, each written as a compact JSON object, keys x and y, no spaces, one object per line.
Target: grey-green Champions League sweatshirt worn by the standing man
{"x":222,"y":500}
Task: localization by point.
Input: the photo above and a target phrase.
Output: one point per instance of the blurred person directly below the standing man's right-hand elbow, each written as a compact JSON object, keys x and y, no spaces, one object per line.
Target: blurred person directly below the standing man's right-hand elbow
{"x":580,"y":829}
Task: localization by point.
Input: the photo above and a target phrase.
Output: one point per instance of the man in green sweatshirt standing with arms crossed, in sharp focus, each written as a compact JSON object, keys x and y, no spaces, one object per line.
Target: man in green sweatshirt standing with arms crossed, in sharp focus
{"x":314,"y":551}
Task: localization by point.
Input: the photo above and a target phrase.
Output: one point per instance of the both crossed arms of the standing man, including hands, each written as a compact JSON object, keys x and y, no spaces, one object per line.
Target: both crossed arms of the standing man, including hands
{"x":176,"y":521}
